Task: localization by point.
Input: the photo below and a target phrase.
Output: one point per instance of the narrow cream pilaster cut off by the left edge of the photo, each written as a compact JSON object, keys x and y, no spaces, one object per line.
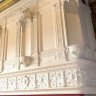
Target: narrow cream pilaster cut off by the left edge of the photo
{"x":3,"y":45}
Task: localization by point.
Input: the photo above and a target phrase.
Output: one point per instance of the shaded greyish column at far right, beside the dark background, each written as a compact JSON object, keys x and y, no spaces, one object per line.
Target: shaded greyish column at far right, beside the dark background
{"x":86,"y":25}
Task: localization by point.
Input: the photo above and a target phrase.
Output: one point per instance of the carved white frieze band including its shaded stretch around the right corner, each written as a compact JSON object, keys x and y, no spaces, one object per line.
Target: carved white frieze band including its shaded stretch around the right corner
{"x":49,"y":79}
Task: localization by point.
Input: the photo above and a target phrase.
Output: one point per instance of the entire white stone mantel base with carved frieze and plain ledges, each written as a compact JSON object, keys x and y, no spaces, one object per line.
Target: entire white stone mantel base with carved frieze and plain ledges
{"x":71,"y":78}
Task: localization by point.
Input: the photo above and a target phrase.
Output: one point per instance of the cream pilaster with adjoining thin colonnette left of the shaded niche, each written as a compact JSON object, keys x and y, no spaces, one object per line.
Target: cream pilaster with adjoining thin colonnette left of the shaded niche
{"x":62,"y":41}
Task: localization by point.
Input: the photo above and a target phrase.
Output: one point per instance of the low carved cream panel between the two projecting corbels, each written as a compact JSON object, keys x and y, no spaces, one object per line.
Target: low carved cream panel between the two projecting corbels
{"x":51,"y":56}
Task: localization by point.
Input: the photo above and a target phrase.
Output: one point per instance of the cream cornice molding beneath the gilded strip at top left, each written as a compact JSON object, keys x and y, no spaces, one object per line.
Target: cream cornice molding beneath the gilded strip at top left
{"x":21,"y":5}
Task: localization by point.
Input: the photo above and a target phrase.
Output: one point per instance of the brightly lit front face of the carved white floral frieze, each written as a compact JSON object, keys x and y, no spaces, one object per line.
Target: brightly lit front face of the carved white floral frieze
{"x":57,"y":79}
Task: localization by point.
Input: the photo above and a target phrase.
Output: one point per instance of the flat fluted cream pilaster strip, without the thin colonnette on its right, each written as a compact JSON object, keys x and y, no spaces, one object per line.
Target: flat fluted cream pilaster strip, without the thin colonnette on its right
{"x":59,"y":24}
